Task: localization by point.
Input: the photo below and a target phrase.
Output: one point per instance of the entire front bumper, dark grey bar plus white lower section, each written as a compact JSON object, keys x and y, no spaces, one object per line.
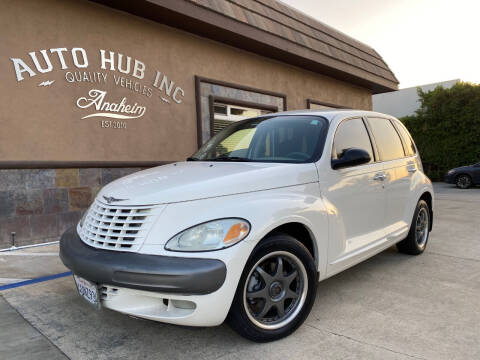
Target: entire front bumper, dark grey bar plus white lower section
{"x":179,"y":290}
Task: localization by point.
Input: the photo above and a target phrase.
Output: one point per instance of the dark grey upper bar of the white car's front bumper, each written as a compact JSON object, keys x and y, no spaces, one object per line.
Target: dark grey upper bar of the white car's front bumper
{"x":165,"y":274}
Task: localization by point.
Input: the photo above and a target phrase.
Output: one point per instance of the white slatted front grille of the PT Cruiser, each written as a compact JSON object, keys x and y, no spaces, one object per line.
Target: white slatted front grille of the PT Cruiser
{"x":117,"y":227}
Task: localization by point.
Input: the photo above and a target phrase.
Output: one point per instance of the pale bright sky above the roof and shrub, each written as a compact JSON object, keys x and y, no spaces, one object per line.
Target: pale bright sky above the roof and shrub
{"x":422,"y":41}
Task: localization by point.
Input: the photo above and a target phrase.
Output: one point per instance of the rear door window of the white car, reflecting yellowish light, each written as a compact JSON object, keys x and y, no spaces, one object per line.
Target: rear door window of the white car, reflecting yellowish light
{"x":387,"y":139}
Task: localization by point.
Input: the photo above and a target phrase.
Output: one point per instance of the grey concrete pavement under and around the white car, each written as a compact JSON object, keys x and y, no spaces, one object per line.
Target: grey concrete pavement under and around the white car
{"x":391,"y":306}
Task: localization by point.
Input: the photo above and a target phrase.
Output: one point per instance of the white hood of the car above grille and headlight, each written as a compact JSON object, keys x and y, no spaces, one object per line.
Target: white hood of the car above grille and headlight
{"x":192,"y":180}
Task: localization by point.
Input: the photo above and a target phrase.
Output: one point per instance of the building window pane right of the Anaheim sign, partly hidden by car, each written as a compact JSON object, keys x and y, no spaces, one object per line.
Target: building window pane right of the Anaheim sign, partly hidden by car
{"x":225,"y":114}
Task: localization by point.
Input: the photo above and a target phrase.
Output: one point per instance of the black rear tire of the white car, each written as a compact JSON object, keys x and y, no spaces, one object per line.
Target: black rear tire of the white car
{"x":414,"y":244}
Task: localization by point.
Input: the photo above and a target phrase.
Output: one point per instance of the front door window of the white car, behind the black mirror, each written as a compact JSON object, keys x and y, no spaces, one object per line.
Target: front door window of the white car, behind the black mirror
{"x":351,"y":134}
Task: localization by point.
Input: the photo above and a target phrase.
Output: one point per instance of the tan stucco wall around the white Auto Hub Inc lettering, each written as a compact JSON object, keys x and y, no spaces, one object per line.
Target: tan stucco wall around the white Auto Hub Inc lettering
{"x":41,"y":121}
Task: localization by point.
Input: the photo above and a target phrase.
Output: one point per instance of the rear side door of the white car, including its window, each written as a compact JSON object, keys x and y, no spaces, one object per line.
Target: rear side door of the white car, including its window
{"x":399,"y":170}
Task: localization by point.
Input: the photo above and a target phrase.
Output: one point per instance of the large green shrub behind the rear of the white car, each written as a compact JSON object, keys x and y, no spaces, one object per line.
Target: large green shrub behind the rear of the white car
{"x":446,"y":128}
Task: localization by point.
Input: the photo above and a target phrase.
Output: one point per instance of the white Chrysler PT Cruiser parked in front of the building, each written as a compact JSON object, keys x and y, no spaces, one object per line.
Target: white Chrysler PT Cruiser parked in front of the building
{"x":245,"y":228}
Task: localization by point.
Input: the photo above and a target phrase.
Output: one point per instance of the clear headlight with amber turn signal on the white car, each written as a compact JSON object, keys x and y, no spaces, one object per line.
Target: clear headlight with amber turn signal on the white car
{"x":212,"y":235}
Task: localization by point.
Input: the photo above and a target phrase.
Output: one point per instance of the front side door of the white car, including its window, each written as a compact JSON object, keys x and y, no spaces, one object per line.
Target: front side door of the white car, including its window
{"x":355,"y":197}
